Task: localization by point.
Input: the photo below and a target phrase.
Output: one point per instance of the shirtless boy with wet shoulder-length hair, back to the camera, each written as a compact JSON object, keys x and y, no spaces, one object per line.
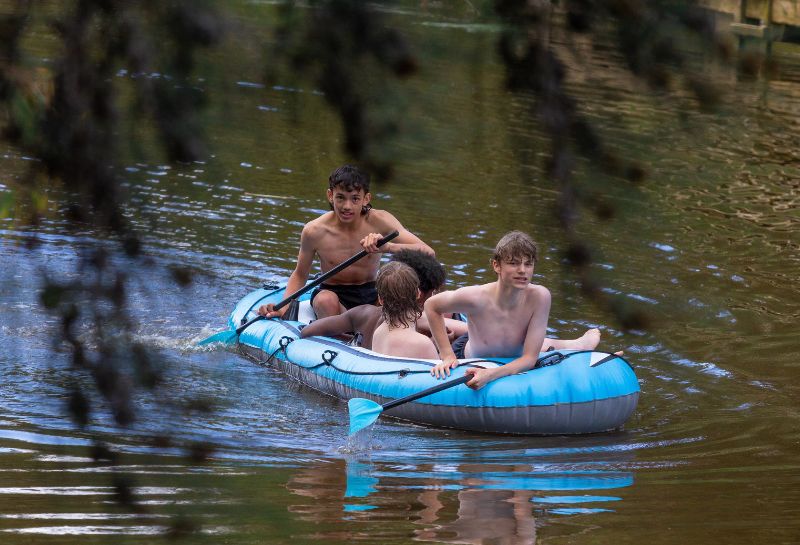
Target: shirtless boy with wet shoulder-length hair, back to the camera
{"x":398,"y":293}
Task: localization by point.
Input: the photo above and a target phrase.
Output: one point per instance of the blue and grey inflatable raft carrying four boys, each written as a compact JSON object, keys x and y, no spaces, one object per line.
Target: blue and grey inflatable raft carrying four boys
{"x":570,"y":392}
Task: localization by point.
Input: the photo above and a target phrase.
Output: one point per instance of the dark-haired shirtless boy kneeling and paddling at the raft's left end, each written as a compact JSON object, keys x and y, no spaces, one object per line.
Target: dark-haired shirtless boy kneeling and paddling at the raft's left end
{"x":352,"y":225}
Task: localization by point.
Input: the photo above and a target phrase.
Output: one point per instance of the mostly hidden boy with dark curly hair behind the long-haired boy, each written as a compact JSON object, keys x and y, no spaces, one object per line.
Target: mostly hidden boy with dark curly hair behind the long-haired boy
{"x":364,"y":319}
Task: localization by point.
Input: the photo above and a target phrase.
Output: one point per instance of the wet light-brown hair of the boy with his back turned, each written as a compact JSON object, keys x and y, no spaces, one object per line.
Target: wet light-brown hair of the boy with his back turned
{"x":397,"y":286}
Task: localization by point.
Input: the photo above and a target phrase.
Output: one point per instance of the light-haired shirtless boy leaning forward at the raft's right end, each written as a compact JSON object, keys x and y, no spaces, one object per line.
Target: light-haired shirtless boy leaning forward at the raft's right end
{"x":506,"y":318}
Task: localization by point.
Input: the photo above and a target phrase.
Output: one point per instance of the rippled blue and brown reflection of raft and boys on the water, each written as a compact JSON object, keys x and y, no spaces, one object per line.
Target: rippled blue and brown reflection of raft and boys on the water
{"x":460,"y":502}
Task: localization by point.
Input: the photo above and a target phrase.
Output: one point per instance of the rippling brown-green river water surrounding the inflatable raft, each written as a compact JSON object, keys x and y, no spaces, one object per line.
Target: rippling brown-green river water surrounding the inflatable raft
{"x":708,"y":246}
